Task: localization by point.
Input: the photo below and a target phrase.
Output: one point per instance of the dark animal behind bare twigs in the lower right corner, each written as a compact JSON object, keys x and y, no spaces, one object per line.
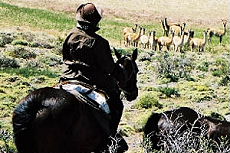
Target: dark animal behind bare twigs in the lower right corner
{"x":163,"y":127}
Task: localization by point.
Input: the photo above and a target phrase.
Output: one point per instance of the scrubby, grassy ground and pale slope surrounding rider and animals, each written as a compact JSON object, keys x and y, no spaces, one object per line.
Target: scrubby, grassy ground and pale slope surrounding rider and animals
{"x":31,"y":37}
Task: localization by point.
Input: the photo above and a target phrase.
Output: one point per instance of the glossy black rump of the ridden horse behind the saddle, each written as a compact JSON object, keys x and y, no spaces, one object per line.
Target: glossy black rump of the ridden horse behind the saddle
{"x":52,"y":120}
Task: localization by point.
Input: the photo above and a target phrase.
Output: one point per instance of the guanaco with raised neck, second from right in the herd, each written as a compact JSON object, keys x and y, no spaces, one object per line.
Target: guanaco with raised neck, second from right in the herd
{"x":199,"y":43}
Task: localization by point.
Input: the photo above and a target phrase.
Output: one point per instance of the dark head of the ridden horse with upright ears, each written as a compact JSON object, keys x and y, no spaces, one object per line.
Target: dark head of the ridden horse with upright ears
{"x":128,"y":81}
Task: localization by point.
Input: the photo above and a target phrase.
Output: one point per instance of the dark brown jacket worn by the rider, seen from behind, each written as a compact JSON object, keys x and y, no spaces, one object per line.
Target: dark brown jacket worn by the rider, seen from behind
{"x":93,"y":53}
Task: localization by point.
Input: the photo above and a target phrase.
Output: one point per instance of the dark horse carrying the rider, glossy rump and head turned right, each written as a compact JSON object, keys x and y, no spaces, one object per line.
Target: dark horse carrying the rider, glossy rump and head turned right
{"x":51,"y":120}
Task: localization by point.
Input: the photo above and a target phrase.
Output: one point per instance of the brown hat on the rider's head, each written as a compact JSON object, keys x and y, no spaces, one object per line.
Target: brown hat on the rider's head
{"x":89,"y":13}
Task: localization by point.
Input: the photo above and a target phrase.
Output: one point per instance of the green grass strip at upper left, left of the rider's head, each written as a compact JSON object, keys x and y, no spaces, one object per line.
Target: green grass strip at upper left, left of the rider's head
{"x":22,"y":16}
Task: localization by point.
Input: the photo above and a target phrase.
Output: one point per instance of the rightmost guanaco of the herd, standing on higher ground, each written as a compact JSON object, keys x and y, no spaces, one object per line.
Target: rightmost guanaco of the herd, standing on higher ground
{"x":218,"y":33}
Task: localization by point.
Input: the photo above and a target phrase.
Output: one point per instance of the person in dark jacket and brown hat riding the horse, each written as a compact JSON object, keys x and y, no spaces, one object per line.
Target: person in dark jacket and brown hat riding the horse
{"x":88,"y":58}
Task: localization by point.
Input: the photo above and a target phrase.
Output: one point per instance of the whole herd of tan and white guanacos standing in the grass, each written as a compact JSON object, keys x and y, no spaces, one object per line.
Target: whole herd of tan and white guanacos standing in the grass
{"x":174,"y":34}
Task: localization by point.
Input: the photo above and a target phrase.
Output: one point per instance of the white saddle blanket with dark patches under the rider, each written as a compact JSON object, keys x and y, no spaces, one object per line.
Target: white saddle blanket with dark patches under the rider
{"x":96,"y":96}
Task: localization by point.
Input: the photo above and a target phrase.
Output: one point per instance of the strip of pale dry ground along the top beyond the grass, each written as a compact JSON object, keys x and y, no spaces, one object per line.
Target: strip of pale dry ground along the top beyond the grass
{"x":205,"y":12}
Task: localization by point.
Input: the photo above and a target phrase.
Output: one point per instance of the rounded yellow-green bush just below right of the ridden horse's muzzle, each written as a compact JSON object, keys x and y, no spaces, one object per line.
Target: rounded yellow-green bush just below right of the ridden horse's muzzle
{"x":148,"y":100}
